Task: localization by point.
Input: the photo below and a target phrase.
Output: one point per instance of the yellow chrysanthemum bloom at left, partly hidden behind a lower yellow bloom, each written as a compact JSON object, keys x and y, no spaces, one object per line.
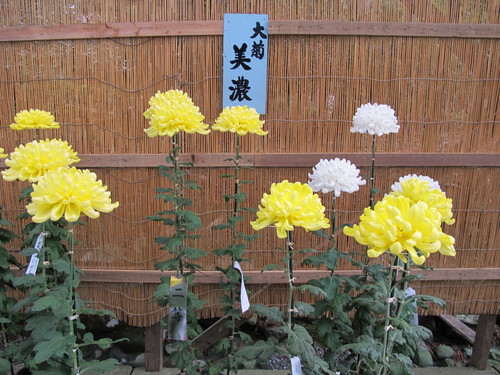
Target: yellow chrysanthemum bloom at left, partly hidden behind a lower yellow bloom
{"x":34,"y":159}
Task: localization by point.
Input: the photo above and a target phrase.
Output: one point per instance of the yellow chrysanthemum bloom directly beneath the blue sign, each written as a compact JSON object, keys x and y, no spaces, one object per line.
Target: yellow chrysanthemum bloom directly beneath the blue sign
{"x":240,"y":120}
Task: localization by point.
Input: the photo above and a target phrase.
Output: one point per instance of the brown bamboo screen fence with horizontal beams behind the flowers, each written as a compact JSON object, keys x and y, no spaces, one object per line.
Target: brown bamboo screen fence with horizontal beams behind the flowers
{"x":94,"y":64}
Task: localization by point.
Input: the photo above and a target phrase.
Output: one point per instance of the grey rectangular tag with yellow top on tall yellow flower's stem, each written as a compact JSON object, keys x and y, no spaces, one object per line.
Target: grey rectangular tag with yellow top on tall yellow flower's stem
{"x":177,"y":309}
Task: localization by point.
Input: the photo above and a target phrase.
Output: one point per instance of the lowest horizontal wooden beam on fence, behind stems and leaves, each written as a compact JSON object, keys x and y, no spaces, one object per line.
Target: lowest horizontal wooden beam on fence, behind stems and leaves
{"x":277,"y":277}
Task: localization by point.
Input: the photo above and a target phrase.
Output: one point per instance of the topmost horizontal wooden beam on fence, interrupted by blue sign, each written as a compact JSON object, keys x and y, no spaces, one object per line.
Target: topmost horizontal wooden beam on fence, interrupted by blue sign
{"x":276,"y":27}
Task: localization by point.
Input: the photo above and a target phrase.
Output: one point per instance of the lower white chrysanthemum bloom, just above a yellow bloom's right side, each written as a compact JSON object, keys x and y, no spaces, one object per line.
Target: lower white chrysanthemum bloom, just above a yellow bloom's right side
{"x":335,"y":175}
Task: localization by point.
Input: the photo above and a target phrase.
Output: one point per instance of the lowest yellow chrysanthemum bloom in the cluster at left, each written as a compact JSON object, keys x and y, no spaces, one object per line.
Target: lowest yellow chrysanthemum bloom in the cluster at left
{"x":69,"y":192}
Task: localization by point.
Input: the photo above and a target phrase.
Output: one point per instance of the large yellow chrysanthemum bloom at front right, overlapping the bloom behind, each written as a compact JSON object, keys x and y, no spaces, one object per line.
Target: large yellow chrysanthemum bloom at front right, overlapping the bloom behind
{"x":397,"y":225}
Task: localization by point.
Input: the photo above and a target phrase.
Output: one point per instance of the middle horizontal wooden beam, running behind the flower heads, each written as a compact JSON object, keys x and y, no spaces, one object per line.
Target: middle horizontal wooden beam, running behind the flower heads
{"x":289,"y":160}
